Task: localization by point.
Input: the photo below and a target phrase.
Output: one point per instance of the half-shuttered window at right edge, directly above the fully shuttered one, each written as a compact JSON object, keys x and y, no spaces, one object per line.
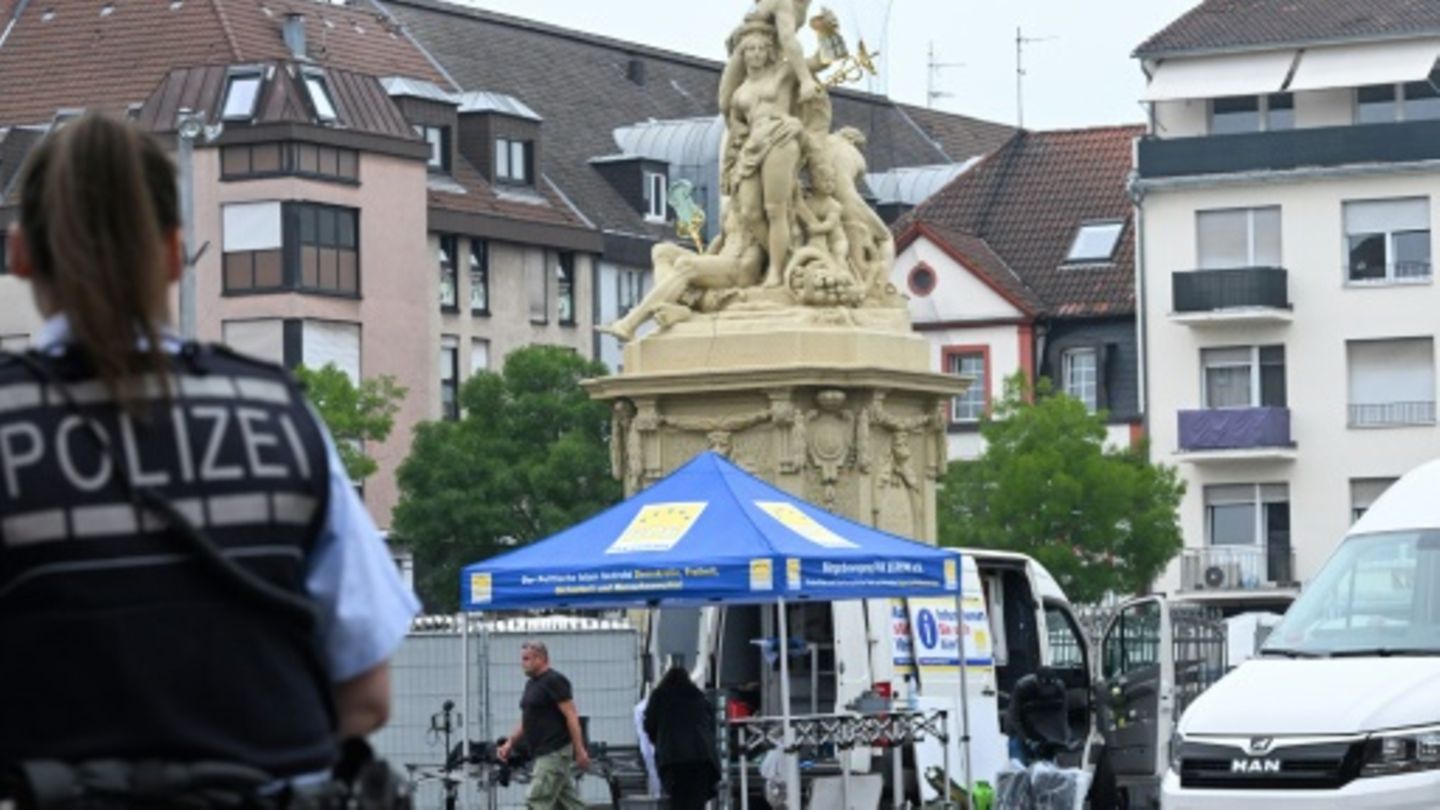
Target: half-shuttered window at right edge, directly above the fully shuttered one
{"x":1389,"y":241}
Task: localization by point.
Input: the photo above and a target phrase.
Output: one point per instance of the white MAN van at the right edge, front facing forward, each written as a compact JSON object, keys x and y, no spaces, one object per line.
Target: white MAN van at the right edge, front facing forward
{"x":1343,"y":706}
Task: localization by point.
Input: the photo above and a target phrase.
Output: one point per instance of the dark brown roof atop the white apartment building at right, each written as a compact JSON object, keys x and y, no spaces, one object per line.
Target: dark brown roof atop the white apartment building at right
{"x":1233,"y":25}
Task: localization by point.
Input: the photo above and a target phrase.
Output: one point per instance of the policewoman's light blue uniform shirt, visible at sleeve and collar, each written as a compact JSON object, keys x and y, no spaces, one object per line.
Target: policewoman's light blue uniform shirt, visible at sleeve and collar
{"x":365,"y":609}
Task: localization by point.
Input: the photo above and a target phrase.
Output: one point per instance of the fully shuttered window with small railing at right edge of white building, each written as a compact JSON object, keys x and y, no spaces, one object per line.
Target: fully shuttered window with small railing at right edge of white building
{"x":1392,"y":383}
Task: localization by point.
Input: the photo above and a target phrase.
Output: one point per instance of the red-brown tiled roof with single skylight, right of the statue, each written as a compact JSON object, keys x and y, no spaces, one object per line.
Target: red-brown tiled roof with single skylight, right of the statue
{"x":1026,"y":204}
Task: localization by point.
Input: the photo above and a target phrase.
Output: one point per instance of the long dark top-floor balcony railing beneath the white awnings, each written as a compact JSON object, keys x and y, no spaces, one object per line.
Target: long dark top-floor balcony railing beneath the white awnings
{"x":1282,"y":151}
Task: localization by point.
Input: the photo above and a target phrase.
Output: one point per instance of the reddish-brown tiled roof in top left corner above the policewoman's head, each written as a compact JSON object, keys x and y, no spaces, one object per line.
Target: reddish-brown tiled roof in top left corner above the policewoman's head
{"x":68,"y":55}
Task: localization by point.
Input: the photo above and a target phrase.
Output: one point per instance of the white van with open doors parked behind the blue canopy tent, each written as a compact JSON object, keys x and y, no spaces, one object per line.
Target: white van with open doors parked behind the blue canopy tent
{"x":850,"y":649}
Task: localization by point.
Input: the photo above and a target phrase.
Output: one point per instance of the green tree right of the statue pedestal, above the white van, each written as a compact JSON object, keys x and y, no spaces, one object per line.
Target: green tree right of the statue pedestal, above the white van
{"x":1102,"y":521}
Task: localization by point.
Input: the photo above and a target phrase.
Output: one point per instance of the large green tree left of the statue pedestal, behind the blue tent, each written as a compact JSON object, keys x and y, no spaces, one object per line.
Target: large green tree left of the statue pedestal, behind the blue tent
{"x":529,"y":458}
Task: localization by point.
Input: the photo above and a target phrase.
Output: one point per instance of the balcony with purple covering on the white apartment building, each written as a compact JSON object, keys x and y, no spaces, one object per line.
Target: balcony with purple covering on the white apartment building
{"x":1236,"y":435}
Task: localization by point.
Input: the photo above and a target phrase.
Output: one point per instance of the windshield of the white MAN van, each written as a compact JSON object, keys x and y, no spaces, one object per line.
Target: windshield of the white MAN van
{"x":1379,"y":596}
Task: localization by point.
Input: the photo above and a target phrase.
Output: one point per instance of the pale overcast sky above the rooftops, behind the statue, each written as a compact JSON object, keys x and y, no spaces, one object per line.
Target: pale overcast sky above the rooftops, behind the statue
{"x":1079,"y":73}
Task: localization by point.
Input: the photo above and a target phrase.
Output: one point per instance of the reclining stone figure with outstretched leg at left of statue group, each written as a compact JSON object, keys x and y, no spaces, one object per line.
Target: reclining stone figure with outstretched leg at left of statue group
{"x":734,"y":260}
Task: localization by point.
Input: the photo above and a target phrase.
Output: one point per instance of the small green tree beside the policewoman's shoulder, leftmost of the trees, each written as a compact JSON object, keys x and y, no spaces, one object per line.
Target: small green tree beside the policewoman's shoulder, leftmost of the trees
{"x":354,"y":414}
